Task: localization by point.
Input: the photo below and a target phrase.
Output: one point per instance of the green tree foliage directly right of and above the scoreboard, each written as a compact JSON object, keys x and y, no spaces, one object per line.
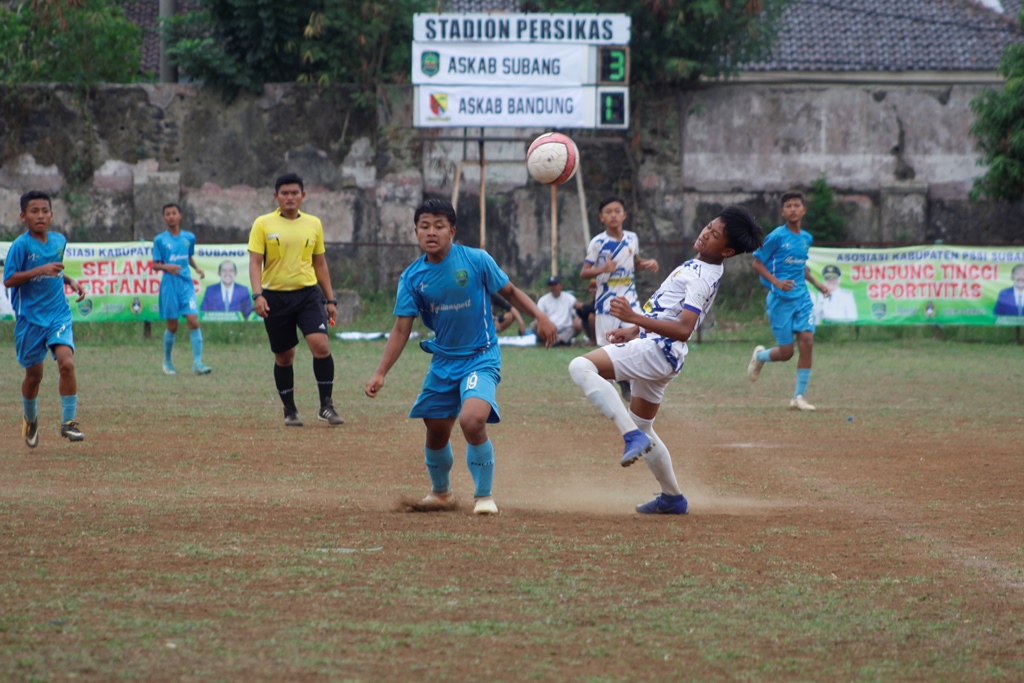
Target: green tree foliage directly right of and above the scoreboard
{"x":677,"y":42}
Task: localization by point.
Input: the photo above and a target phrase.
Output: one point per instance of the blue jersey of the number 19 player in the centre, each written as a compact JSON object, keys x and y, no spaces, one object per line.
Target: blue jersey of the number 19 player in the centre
{"x":454,"y":300}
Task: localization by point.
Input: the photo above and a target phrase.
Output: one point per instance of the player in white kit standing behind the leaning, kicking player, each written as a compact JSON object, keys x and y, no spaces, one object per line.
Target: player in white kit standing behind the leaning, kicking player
{"x":614,"y":259}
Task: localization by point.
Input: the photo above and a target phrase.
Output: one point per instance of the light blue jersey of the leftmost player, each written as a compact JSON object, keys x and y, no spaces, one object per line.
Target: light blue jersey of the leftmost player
{"x":41,"y":301}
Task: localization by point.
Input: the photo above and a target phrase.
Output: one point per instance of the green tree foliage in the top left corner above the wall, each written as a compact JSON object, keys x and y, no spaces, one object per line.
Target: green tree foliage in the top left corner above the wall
{"x":68,"y":41}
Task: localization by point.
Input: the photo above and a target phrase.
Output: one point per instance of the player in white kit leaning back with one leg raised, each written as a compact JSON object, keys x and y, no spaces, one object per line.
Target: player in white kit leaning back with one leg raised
{"x":652,"y":351}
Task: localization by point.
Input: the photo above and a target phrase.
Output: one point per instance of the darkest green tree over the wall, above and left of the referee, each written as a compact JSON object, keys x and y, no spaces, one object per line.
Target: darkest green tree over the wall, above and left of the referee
{"x":235,"y":46}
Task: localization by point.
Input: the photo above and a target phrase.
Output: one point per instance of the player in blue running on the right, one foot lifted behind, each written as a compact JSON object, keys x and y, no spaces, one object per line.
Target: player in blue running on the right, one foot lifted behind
{"x":782,"y":263}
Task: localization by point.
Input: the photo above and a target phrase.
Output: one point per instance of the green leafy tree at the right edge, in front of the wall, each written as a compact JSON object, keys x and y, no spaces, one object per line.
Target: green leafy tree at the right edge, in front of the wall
{"x":1000,"y":132}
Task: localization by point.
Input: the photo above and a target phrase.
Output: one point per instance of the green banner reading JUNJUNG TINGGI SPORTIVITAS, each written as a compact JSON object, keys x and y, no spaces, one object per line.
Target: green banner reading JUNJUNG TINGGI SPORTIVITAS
{"x":927,"y":285}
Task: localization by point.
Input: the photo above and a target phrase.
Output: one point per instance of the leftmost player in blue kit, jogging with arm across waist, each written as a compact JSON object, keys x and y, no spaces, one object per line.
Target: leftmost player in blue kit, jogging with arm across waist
{"x":34,"y":275}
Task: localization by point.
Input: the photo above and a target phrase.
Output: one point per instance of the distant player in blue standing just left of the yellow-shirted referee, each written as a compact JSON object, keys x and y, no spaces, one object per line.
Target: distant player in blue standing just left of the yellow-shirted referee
{"x":174,"y":252}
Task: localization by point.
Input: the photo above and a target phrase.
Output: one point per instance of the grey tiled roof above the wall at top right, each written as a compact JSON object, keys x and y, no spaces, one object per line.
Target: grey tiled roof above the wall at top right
{"x":886,"y":36}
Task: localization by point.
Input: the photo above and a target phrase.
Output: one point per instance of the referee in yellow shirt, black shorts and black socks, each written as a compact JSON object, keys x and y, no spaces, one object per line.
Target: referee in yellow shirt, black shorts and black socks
{"x":291,"y":285}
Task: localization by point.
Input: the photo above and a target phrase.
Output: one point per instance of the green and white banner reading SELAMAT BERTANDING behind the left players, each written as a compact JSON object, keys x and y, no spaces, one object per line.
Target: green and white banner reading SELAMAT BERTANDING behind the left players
{"x":121,"y":285}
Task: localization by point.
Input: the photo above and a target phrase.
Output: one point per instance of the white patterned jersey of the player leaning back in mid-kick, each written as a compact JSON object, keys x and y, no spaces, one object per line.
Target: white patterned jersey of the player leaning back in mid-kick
{"x":693,"y":287}
